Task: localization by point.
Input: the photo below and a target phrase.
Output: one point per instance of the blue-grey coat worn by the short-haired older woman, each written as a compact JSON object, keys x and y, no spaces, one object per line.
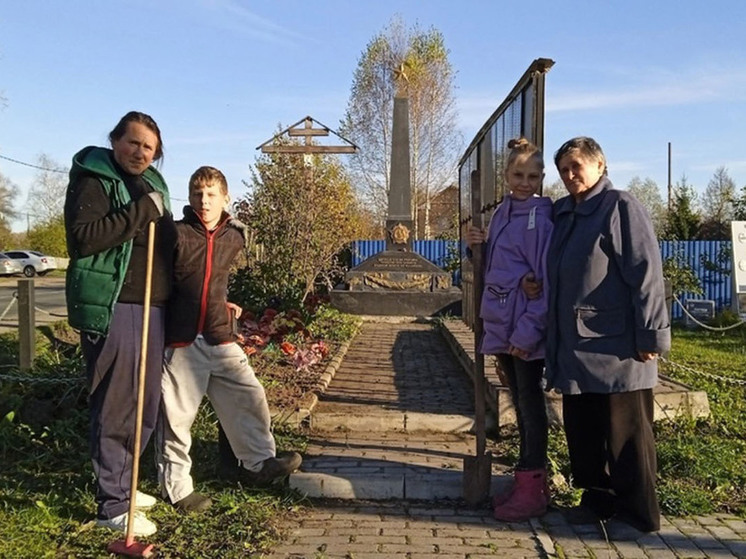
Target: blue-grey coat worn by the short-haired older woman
{"x":606,"y":295}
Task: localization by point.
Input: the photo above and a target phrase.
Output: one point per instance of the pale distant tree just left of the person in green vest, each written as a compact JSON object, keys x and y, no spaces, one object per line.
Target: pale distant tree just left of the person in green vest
{"x":46,"y":197}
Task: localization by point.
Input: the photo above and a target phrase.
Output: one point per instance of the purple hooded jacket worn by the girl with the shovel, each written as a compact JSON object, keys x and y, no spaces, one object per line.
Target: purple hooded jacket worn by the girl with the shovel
{"x":517,"y":242}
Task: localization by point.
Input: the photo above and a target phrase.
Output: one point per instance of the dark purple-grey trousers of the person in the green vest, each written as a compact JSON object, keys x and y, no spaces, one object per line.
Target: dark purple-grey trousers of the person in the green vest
{"x":112,"y":365}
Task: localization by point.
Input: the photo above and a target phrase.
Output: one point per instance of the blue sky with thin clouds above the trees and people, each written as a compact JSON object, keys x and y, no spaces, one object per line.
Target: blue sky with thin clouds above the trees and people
{"x":219,"y":76}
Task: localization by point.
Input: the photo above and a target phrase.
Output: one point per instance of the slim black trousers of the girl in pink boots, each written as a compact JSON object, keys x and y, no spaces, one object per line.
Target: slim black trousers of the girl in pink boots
{"x":524,"y":380}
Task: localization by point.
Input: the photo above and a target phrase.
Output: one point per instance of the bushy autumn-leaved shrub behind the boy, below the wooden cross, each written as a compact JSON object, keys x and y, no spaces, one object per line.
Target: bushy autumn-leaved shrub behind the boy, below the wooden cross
{"x":300,"y":214}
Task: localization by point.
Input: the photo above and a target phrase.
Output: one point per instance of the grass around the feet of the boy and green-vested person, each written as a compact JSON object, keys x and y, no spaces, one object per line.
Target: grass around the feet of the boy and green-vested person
{"x":47,"y":485}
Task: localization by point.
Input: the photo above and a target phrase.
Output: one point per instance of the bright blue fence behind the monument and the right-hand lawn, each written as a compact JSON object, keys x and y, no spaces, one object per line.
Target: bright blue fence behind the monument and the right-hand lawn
{"x":710,"y":260}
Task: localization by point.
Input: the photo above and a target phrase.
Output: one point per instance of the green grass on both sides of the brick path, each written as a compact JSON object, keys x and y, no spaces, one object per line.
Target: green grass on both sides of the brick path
{"x":46,"y":482}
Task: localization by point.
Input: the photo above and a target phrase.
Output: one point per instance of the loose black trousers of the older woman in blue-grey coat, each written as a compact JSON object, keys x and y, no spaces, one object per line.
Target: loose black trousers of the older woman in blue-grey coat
{"x":612,"y":454}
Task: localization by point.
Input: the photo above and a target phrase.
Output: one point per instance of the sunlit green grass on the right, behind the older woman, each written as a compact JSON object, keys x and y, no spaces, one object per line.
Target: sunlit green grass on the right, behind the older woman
{"x":701,"y":463}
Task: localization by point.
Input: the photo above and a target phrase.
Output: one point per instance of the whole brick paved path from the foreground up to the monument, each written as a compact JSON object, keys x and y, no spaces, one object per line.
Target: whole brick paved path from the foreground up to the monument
{"x":399,"y":374}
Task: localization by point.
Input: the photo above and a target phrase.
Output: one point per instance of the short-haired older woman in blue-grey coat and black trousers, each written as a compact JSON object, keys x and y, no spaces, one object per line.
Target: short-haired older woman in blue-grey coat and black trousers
{"x":607,"y":325}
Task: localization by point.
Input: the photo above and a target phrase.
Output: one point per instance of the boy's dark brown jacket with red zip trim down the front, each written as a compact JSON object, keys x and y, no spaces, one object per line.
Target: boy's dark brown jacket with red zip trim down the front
{"x":202,"y":262}
